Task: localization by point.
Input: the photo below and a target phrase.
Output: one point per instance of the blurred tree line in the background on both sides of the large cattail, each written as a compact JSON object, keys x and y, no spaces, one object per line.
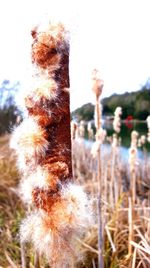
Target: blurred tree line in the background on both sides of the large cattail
{"x":135,"y":104}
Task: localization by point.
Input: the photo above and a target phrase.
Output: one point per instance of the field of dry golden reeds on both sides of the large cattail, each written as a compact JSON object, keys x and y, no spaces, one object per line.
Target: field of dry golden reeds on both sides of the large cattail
{"x":125,"y":222}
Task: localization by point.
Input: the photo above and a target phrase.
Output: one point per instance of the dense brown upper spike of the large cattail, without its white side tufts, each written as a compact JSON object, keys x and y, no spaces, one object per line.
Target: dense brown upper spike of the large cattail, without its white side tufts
{"x":50,"y":51}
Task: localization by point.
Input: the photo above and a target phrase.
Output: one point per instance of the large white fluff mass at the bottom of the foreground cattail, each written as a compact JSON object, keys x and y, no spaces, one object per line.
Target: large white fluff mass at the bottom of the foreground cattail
{"x":56,"y":234}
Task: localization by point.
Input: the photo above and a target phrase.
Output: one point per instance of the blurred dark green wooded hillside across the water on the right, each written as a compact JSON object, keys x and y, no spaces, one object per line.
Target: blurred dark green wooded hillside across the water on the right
{"x":136,"y":104}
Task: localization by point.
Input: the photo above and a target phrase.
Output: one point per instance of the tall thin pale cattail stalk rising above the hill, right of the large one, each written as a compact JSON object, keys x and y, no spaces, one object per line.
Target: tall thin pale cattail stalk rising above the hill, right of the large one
{"x":97,"y":88}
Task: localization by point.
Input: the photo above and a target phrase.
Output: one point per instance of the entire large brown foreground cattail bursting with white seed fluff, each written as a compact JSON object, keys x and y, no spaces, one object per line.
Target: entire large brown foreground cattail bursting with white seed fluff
{"x":43,"y":144}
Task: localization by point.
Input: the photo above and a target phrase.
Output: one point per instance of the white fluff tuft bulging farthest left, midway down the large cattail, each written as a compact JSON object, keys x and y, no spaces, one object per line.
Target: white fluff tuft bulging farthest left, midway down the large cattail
{"x":29,"y":142}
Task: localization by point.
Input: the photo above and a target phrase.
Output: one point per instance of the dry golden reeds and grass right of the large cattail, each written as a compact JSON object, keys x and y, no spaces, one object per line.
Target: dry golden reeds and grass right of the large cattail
{"x":125,"y":225}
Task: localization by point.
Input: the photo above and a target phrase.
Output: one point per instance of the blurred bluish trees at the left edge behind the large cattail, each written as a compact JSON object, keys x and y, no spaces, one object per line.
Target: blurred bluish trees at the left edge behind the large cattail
{"x":8,"y":109}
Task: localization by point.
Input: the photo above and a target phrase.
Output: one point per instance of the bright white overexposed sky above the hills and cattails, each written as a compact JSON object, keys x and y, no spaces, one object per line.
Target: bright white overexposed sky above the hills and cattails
{"x":110,"y":35}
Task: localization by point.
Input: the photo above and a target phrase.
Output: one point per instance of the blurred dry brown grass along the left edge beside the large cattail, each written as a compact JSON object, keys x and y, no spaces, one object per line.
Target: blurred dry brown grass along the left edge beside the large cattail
{"x":11,"y":208}
